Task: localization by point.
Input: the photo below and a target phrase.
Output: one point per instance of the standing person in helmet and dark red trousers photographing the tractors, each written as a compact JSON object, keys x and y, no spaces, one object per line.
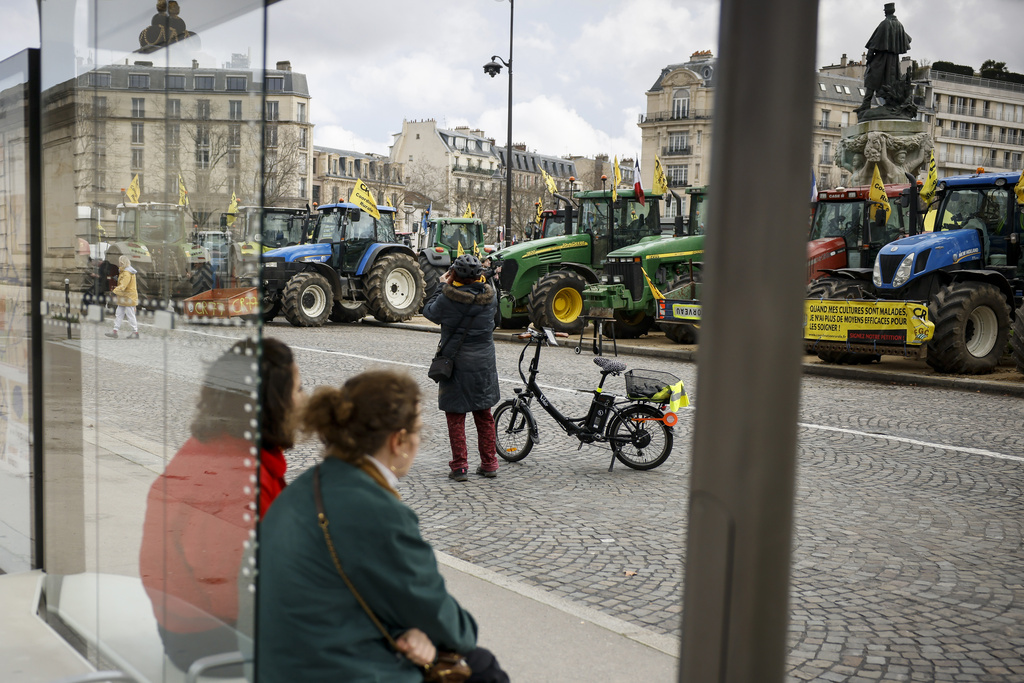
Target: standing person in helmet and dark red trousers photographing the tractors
{"x":464,"y":306}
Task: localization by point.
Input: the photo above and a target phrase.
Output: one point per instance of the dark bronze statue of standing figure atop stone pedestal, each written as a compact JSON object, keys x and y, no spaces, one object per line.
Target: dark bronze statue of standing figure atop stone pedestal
{"x":882,"y":77}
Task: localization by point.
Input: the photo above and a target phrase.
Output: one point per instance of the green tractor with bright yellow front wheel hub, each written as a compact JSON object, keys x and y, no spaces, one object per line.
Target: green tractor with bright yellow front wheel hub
{"x":542,"y":281}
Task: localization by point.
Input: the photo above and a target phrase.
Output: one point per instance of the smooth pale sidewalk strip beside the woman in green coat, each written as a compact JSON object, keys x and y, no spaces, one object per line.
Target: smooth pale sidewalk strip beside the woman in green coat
{"x":541,"y":638}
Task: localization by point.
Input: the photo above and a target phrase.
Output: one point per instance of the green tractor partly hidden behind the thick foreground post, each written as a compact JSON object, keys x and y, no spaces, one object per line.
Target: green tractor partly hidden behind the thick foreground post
{"x":670,"y":263}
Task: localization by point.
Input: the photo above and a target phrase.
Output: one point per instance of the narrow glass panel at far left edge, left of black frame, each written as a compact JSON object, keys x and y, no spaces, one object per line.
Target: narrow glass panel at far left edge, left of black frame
{"x":16,"y":456}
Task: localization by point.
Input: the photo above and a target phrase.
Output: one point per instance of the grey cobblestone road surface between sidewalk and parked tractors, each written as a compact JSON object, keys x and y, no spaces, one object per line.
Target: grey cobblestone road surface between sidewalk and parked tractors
{"x":909,"y":562}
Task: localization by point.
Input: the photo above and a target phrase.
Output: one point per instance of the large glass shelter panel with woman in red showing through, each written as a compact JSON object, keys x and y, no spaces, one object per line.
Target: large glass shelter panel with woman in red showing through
{"x":152,"y":452}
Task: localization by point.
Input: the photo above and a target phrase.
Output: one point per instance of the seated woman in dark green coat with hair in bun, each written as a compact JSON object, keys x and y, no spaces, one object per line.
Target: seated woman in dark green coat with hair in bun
{"x":311,"y":625}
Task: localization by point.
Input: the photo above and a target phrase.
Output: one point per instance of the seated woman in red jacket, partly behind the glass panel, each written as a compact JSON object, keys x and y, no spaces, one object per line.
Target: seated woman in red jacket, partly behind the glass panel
{"x":202,"y":509}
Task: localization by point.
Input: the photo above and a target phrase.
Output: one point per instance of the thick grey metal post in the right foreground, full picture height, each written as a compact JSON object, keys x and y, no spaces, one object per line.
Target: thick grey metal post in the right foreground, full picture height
{"x":742,"y":499}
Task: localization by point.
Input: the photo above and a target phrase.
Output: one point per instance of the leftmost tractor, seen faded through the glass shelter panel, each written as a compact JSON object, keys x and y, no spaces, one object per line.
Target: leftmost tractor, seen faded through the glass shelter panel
{"x":161,"y":243}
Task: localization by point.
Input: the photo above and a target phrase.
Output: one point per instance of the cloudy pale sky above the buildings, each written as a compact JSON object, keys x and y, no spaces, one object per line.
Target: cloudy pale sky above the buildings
{"x":581,"y":67}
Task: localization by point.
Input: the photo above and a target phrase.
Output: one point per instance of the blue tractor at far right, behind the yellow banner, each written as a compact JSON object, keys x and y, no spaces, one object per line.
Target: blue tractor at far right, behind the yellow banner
{"x":969,"y":271}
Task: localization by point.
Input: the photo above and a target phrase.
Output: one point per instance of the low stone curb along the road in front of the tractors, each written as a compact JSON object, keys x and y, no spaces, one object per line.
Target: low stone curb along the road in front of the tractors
{"x":816,"y":369}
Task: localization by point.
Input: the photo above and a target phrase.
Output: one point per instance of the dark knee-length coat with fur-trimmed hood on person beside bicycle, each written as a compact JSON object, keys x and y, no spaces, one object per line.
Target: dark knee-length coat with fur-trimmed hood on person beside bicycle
{"x":474,"y":386}
